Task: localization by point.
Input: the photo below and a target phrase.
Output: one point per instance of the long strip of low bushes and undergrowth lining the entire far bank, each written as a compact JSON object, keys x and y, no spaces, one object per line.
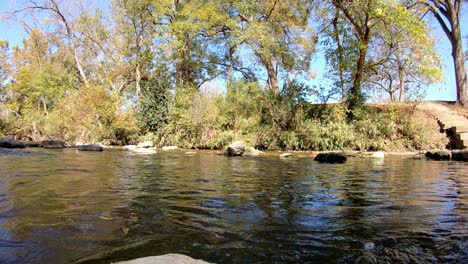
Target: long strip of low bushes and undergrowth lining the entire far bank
{"x":189,"y":118}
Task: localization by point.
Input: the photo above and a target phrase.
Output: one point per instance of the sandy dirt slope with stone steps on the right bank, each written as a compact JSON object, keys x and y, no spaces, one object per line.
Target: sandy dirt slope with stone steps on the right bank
{"x":451,"y":119}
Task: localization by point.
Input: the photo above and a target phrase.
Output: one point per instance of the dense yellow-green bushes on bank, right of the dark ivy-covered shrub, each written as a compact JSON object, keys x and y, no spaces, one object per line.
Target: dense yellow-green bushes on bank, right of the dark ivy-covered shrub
{"x":210,"y":120}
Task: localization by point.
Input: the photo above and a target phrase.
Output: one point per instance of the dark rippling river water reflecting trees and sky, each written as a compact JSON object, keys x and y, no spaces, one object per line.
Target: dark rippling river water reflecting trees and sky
{"x":64,"y":206}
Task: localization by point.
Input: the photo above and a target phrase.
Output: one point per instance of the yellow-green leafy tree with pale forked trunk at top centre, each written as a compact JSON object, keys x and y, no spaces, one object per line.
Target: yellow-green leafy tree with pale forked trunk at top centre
{"x":277,"y":33}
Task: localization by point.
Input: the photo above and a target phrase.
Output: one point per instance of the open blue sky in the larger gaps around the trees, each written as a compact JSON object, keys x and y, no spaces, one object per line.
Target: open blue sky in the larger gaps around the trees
{"x":14,"y":33}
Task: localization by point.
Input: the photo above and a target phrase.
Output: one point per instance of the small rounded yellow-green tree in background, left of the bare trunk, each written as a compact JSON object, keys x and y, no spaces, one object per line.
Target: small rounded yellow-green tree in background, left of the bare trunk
{"x":403,"y":55}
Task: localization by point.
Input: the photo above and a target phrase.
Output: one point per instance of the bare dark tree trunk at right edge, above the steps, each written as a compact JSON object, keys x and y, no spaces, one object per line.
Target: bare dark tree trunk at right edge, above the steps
{"x":447,"y":13}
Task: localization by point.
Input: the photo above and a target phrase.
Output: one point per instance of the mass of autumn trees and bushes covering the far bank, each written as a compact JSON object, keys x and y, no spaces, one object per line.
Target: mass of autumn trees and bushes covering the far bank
{"x":158,"y":66}
